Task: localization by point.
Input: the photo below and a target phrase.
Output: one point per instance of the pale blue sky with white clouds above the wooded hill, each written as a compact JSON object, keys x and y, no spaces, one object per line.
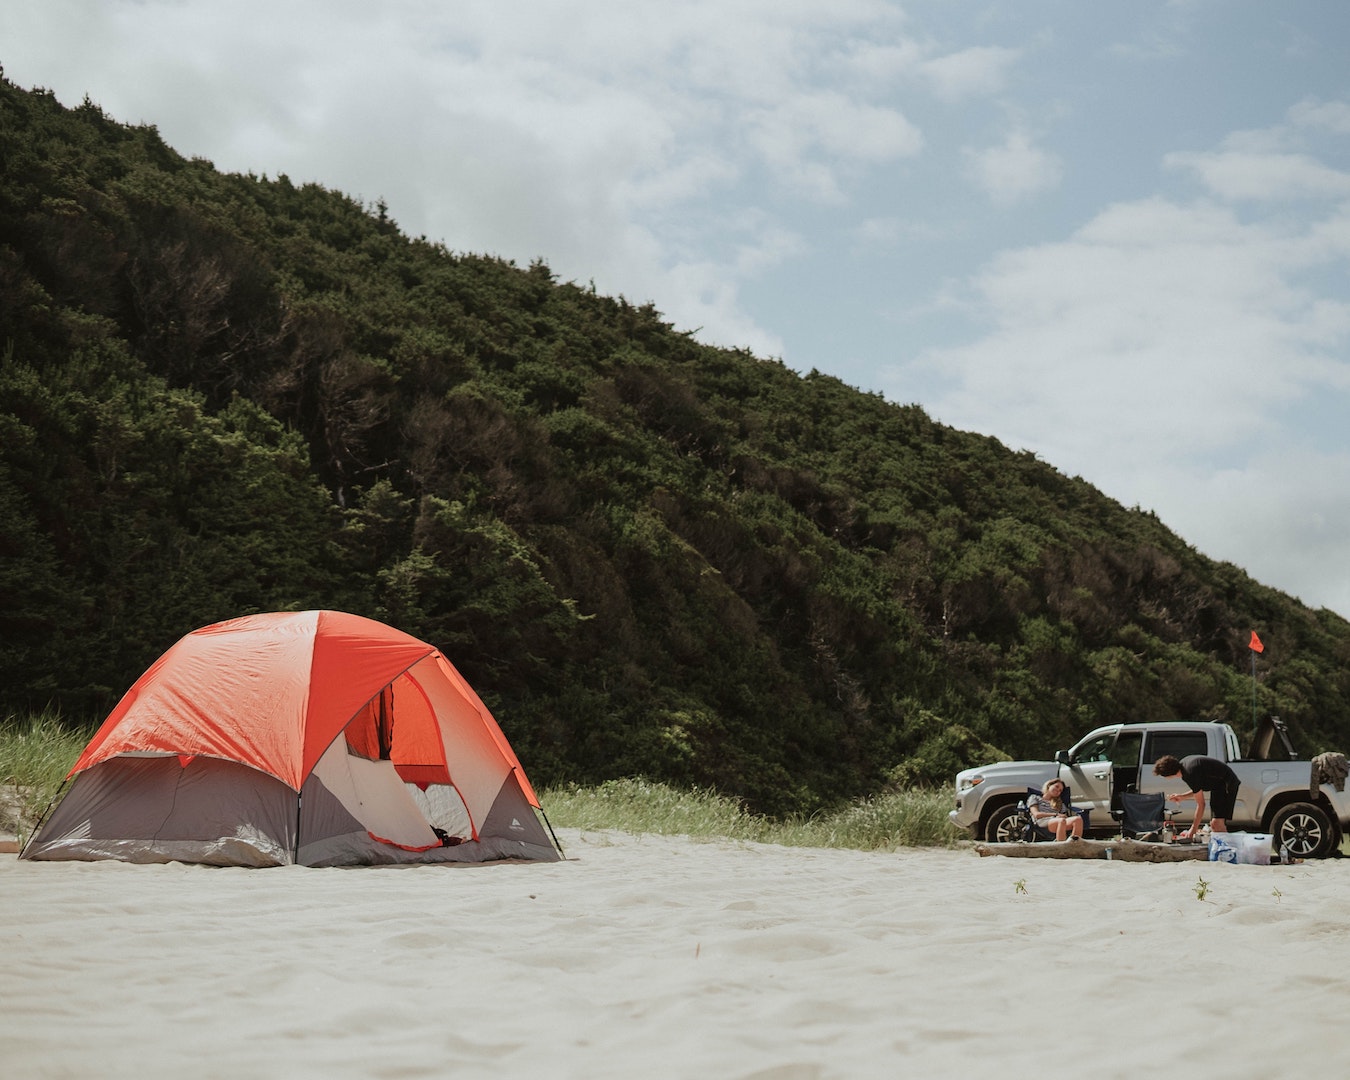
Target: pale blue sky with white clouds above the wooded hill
{"x":1116,"y":236}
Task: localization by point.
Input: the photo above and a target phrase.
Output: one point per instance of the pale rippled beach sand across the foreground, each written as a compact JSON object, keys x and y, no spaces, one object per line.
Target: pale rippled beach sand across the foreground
{"x":672,"y":958}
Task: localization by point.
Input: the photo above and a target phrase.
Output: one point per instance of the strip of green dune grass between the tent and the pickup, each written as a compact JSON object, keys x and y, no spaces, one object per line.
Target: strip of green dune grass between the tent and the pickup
{"x":913,"y":819}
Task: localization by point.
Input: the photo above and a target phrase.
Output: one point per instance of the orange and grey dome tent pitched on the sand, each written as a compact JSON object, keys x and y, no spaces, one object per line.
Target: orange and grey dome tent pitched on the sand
{"x":314,"y":738}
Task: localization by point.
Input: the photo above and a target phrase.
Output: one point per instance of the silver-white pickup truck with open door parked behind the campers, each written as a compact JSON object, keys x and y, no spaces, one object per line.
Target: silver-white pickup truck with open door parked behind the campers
{"x":1279,"y":794}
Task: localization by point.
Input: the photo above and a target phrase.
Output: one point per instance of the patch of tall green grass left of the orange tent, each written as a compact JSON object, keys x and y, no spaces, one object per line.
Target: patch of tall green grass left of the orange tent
{"x":36,"y":755}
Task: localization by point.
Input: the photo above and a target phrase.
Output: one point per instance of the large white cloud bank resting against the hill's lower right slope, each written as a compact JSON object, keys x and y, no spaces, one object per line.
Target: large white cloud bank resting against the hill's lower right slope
{"x":1162,"y":341}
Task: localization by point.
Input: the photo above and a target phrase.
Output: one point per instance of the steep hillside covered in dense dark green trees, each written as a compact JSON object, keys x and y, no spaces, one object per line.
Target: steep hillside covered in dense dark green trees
{"x":222,"y":395}
